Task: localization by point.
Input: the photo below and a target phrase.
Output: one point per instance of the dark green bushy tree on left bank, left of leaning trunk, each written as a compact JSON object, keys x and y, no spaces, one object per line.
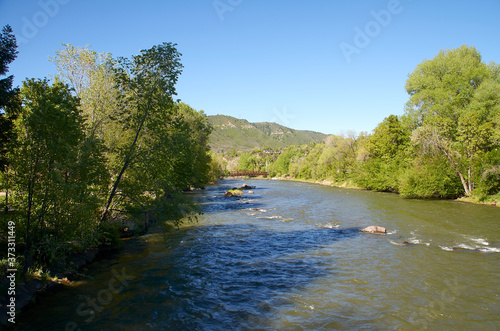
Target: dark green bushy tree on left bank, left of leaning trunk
{"x":57,"y":176}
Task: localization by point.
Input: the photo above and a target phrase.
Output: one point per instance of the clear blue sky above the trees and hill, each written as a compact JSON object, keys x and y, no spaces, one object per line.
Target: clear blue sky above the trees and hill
{"x":303,"y":64}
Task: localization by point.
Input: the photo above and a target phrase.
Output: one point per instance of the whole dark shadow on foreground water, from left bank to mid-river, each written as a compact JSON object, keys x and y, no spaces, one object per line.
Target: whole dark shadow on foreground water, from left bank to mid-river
{"x":215,"y":277}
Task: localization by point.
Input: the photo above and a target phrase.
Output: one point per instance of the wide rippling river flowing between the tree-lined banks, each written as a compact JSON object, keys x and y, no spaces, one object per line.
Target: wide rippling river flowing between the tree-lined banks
{"x":291,"y":257}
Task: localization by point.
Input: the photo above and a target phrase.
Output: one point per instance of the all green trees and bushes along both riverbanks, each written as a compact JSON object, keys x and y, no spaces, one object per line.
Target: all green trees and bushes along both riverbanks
{"x":105,"y":148}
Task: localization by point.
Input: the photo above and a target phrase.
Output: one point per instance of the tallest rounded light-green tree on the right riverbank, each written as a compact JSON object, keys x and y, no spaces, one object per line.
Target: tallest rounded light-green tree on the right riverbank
{"x":452,"y":107}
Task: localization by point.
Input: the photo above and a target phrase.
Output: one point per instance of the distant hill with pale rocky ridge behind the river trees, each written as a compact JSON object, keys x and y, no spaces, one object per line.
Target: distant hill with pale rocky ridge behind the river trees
{"x":230,"y":132}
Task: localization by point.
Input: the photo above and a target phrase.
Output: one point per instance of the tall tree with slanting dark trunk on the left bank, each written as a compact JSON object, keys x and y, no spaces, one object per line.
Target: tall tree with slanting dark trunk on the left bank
{"x":148,"y":85}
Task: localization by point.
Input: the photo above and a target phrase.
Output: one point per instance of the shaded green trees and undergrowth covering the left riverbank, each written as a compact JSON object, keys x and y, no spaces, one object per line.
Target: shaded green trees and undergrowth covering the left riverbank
{"x":101,"y":149}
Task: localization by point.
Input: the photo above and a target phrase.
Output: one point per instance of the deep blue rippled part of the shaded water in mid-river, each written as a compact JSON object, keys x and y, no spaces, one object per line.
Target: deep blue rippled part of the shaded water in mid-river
{"x":236,"y":276}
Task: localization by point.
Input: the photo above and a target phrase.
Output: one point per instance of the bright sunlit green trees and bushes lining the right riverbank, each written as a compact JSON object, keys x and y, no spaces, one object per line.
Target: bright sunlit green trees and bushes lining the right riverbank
{"x":445,"y":145}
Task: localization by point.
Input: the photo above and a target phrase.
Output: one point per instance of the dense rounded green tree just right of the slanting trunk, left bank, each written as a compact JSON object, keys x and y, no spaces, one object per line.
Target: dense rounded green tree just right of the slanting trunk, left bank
{"x":177,"y":155}
